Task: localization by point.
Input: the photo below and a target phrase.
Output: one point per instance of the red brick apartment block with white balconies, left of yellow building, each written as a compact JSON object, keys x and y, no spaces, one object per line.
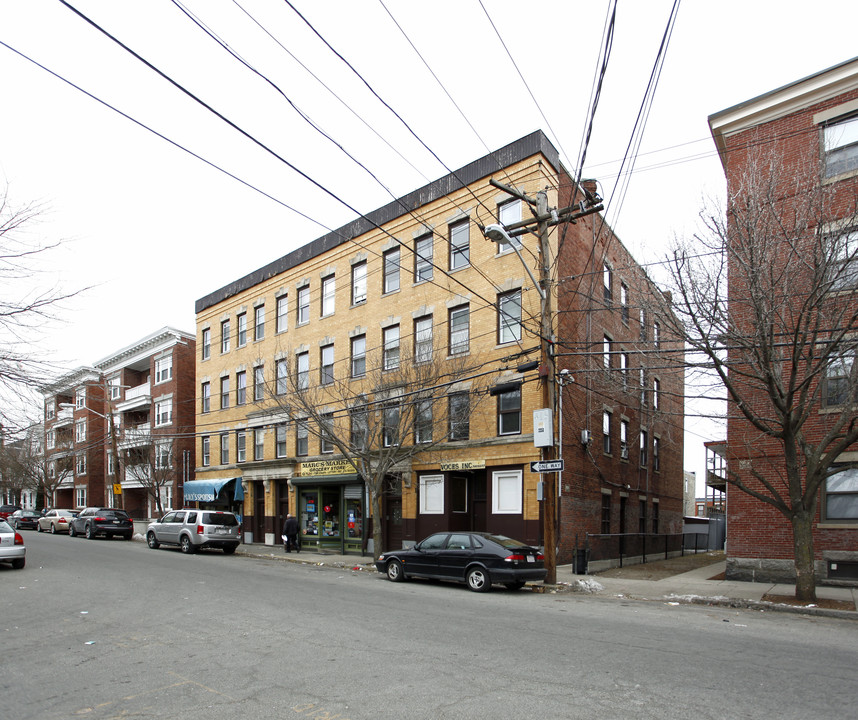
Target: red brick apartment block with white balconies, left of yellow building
{"x":136,"y":405}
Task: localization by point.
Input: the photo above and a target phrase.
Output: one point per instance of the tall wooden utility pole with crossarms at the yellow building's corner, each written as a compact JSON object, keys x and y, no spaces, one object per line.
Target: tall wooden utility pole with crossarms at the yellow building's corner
{"x":543,"y":220}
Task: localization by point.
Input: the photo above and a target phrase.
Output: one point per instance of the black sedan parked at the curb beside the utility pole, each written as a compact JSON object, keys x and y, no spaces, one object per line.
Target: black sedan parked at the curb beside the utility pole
{"x":476,"y":558}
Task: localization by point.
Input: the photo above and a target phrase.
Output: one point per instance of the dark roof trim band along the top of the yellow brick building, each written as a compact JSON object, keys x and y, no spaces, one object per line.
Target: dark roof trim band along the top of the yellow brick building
{"x":516,"y":151}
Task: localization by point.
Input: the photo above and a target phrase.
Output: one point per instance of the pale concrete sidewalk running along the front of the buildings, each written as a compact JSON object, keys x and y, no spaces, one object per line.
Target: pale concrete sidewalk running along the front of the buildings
{"x":695,"y":586}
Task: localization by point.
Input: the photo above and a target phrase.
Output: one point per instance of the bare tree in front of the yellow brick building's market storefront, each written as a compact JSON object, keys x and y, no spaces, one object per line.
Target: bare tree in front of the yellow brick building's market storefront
{"x":384,"y":409}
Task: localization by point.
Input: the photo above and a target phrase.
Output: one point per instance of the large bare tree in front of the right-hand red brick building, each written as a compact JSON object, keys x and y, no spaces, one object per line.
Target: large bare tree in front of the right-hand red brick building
{"x":766,"y":298}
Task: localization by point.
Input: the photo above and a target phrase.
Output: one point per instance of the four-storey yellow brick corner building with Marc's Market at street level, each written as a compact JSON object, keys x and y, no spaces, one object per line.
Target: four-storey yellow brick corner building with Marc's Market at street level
{"x":417,"y":281}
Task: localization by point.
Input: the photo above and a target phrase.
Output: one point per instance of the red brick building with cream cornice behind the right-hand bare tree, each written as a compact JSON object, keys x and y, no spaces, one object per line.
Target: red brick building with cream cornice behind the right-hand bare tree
{"x":815,"y":117}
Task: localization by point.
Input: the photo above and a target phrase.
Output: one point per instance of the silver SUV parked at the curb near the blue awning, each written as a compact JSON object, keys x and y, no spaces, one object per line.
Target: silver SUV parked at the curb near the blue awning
{"x":192,"y":530}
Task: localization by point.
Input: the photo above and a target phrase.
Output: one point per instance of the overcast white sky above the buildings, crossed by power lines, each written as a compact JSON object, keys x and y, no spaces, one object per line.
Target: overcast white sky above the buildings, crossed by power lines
{"x":152,"y":229}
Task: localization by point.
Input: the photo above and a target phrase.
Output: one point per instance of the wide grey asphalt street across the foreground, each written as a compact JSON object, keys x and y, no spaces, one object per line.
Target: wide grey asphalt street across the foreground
{"x":112,"y":629}
